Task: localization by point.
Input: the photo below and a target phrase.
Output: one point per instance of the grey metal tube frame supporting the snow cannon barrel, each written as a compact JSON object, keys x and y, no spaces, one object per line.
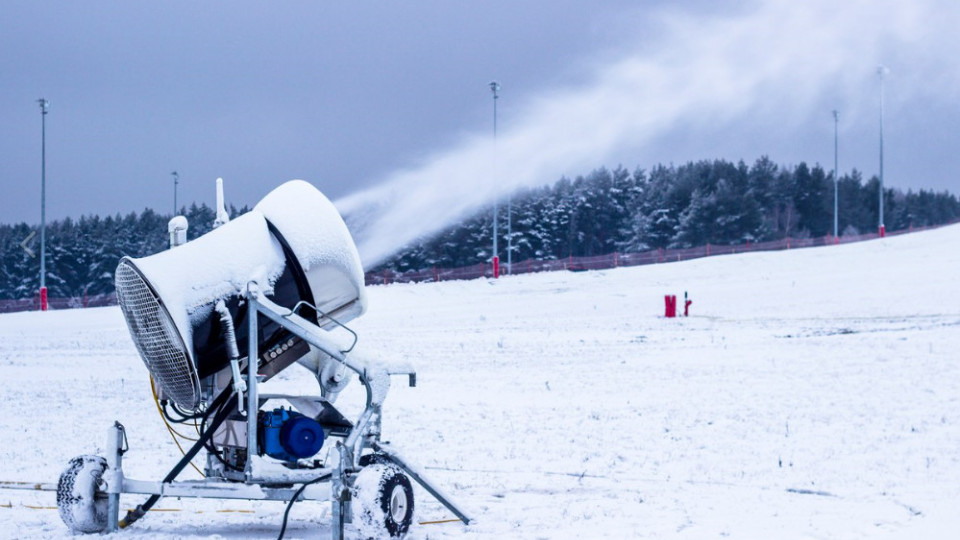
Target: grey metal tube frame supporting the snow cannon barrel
{"x":364,"y":434}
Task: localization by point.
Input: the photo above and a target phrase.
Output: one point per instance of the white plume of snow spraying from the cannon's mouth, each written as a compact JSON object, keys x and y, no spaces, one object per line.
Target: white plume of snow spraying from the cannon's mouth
{"x":694,"y":84}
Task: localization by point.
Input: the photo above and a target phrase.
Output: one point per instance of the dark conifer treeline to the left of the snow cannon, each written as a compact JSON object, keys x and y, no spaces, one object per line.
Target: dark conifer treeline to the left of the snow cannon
{"x":82,"y":254}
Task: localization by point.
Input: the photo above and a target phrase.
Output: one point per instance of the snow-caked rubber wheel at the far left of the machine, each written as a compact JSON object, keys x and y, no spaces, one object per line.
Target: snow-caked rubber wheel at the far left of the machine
{"x":83,"y":507}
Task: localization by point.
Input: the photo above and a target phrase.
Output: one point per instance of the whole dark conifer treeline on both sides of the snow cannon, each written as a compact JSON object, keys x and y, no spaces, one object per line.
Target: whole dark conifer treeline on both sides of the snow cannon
{"x":716,"y":202}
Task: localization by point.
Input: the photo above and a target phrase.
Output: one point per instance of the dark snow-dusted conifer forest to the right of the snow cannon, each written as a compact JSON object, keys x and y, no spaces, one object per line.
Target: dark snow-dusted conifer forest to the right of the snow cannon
{"x":715,"y":202}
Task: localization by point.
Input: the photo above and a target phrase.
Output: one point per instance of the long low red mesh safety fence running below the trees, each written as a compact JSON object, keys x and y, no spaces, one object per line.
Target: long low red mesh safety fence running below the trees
{"x":574,"y":264}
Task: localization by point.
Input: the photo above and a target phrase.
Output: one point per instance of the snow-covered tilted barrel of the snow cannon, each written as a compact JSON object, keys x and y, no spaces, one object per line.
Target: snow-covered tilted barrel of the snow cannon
{"x":294,"y":245}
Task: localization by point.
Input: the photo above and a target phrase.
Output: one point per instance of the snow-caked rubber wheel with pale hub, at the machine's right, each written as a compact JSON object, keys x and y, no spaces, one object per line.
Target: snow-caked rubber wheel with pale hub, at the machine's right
{"x":382,"y":502}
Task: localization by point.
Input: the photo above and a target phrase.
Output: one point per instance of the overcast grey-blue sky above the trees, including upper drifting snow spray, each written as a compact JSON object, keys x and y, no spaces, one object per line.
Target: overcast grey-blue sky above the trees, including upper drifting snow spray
{"x":352,"y":95}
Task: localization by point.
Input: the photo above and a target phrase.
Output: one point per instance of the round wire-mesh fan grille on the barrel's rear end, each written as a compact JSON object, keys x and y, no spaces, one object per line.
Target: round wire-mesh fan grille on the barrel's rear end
{"x":160,"y":345}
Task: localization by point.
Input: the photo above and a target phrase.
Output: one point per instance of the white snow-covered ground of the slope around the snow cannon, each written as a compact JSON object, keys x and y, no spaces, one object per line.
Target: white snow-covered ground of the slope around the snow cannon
{"x":812,"y":394}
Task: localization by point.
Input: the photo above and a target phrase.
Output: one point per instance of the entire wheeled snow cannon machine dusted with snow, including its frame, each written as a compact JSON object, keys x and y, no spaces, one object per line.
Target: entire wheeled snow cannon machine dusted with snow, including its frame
{"x":262,"y":290}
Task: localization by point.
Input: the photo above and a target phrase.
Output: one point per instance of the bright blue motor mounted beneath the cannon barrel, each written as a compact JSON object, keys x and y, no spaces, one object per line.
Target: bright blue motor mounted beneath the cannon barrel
{"x":288,"y":435}
